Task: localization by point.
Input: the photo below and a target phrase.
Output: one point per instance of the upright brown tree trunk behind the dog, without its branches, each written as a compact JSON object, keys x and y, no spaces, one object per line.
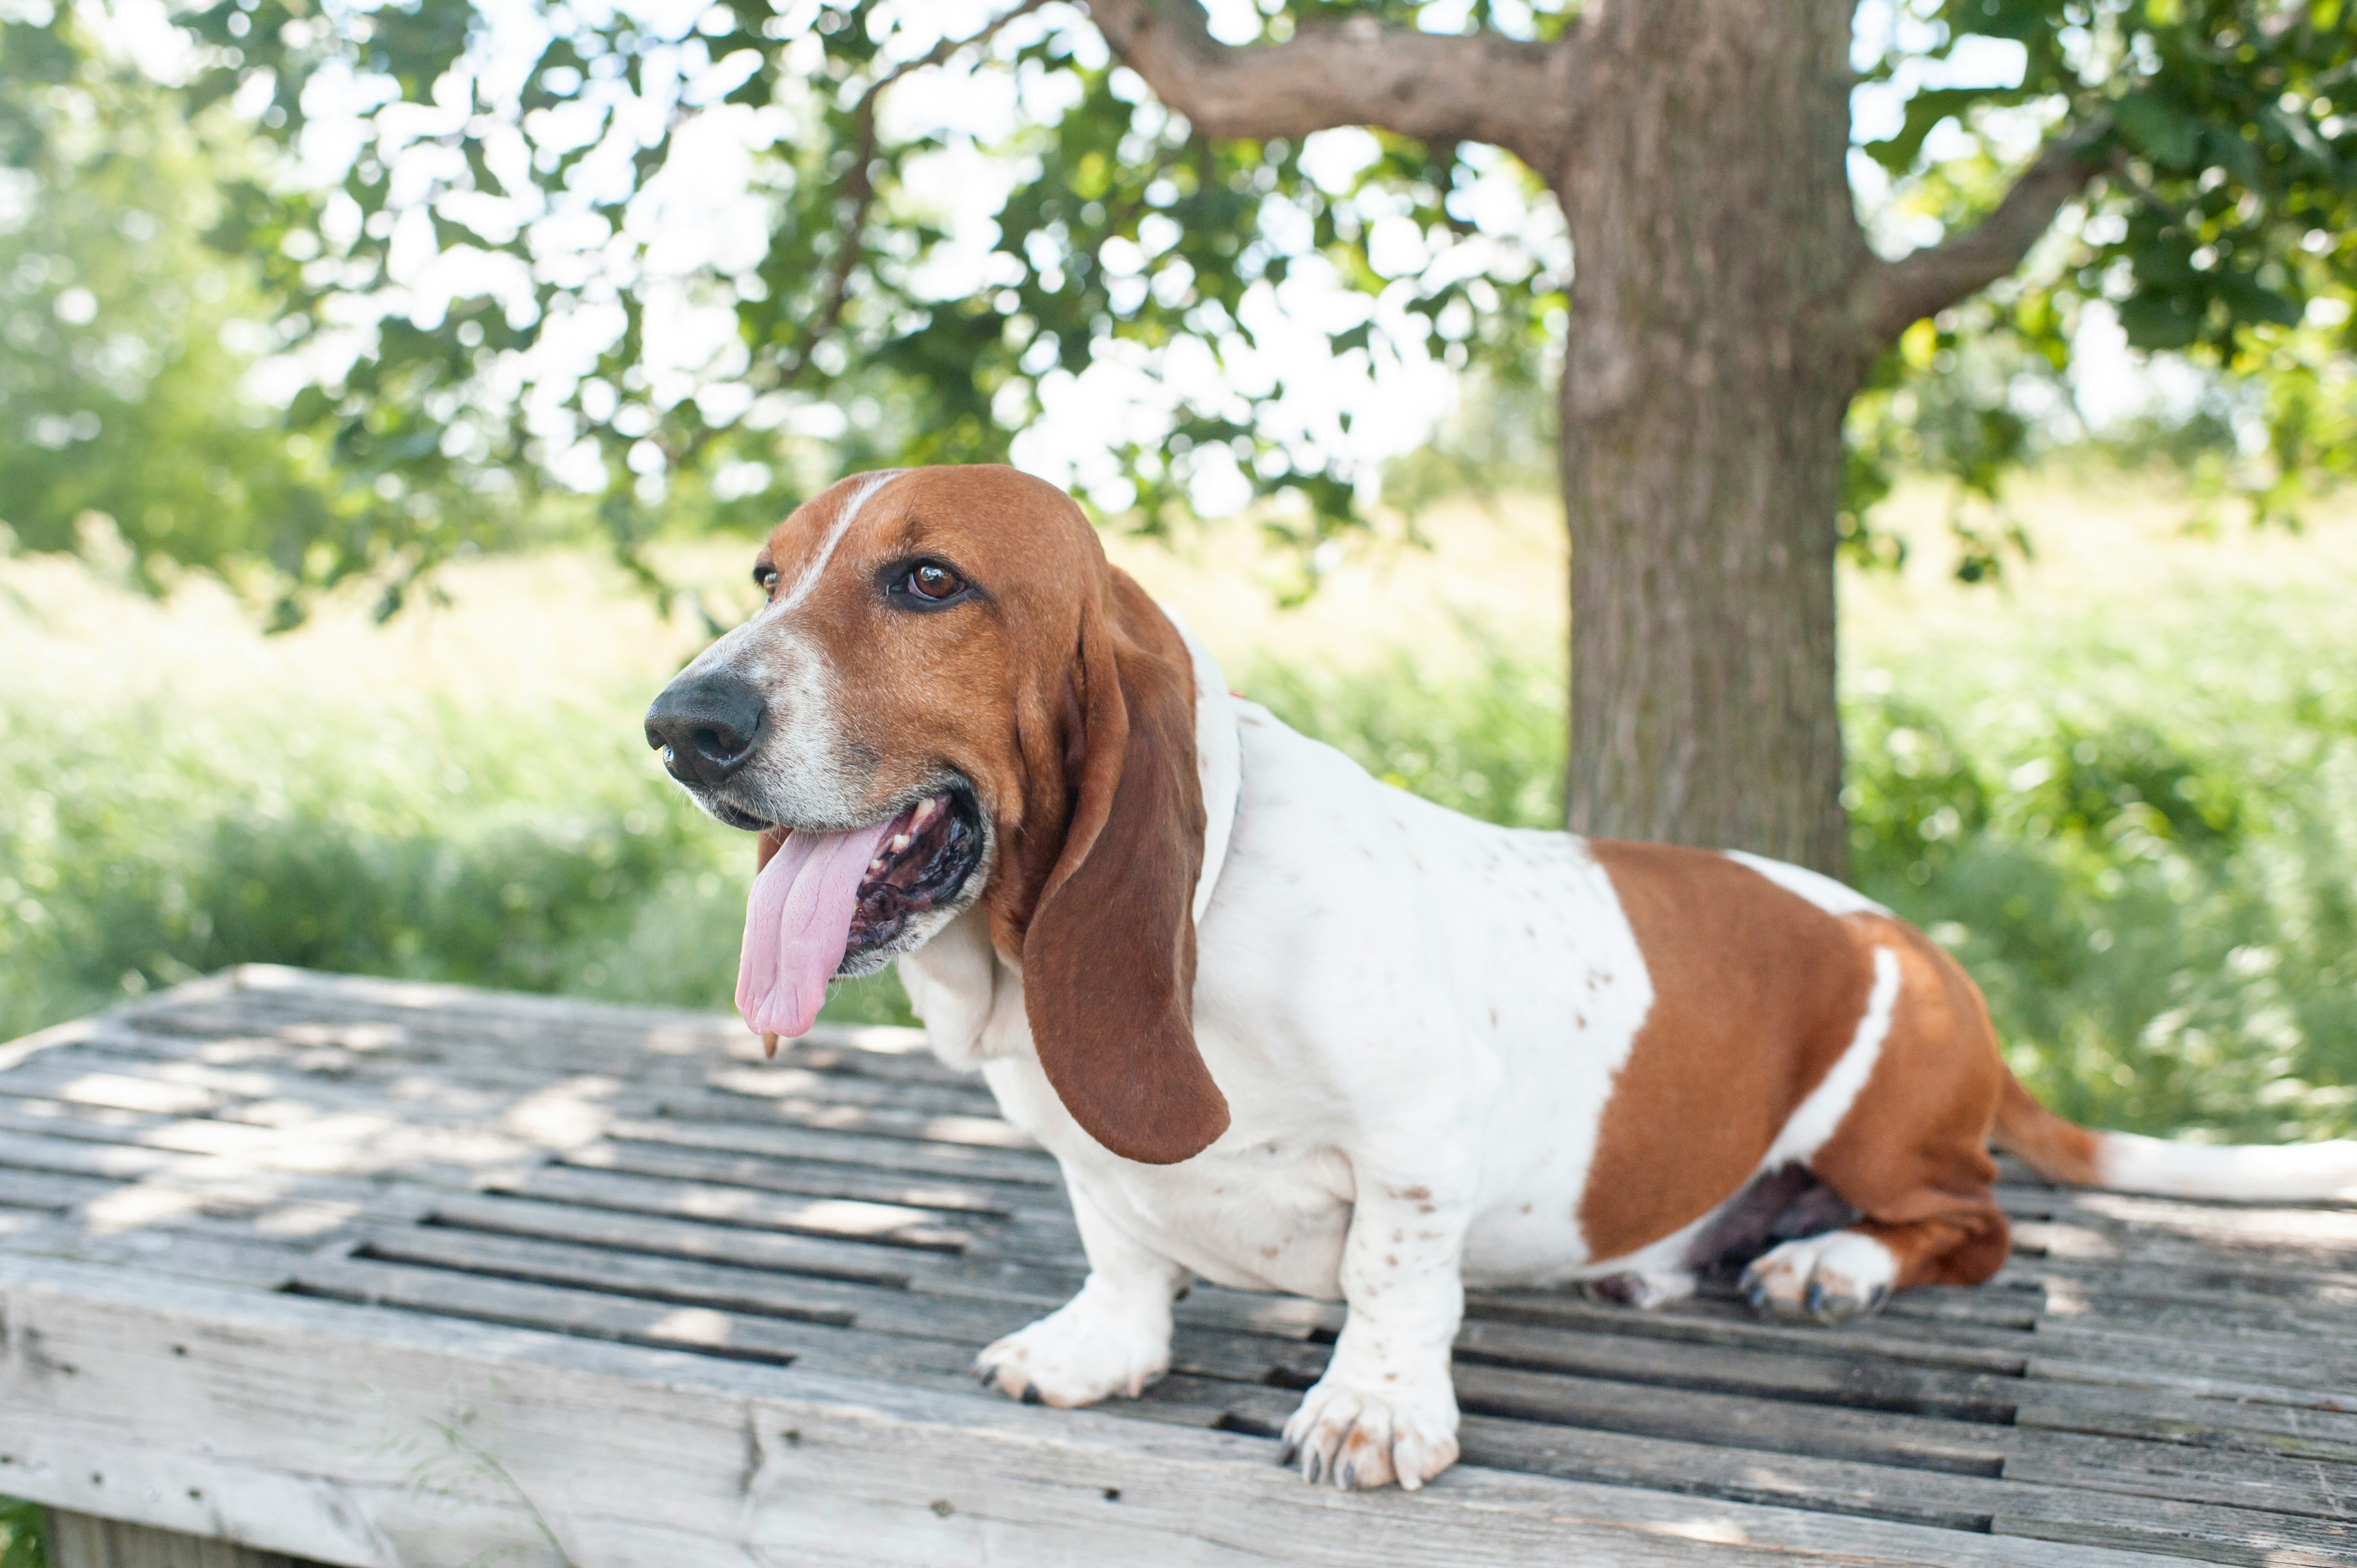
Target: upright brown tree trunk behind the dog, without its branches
{"x":1710,"y":360}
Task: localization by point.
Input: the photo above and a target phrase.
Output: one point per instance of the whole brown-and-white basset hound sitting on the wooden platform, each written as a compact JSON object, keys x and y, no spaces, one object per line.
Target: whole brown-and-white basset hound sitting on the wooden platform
{"x":1290,"y":1029}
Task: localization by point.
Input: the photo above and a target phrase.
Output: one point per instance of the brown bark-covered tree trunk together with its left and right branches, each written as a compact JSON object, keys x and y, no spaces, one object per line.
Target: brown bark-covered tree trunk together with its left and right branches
{"x":1724,"y":312}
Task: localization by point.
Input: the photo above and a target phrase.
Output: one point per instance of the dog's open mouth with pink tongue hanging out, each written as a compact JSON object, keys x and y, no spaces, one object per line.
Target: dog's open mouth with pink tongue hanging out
{"x":836,"y":904}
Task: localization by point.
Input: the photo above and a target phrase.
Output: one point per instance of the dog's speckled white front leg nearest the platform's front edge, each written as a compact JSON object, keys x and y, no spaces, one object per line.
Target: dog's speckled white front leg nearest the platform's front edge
{"x":1387,"y":1409}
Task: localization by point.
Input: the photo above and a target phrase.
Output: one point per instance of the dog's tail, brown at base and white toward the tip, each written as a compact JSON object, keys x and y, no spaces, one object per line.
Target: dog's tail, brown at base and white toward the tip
{"x":2130,"y":1164}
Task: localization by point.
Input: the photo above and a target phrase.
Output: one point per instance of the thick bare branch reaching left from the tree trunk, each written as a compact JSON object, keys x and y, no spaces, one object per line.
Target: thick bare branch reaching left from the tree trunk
{"x":1427,"y":86}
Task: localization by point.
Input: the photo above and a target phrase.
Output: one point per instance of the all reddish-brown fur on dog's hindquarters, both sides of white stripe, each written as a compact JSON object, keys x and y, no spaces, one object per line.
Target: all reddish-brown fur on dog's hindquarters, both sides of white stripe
{"x":1757,"y":996}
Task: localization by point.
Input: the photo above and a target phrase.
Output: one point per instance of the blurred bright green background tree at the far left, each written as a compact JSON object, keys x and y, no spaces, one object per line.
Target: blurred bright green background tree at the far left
{"x":131,"y":336}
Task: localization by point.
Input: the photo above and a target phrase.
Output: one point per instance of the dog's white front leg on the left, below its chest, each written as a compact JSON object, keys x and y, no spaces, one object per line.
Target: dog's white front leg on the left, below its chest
{"x":1114,"y":1338}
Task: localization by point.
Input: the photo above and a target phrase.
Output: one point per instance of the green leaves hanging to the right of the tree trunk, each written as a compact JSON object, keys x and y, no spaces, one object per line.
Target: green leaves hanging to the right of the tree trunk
{"x":2224,"y":228}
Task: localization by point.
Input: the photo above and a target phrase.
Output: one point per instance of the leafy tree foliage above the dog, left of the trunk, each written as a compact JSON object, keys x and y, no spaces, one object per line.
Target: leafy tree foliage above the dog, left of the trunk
{"x":1121,"y":237}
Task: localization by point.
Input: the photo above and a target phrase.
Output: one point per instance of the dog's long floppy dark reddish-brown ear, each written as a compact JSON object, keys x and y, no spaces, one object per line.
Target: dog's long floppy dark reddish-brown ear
{"x":1109,"y":961}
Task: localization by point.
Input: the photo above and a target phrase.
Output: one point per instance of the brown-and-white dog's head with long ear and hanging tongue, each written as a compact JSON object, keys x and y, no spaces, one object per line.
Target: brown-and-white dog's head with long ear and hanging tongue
{"x":949,"y":701}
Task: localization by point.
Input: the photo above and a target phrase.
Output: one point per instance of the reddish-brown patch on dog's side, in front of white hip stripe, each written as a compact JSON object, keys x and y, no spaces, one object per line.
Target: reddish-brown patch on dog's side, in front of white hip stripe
{"x":1755,"y":996}
